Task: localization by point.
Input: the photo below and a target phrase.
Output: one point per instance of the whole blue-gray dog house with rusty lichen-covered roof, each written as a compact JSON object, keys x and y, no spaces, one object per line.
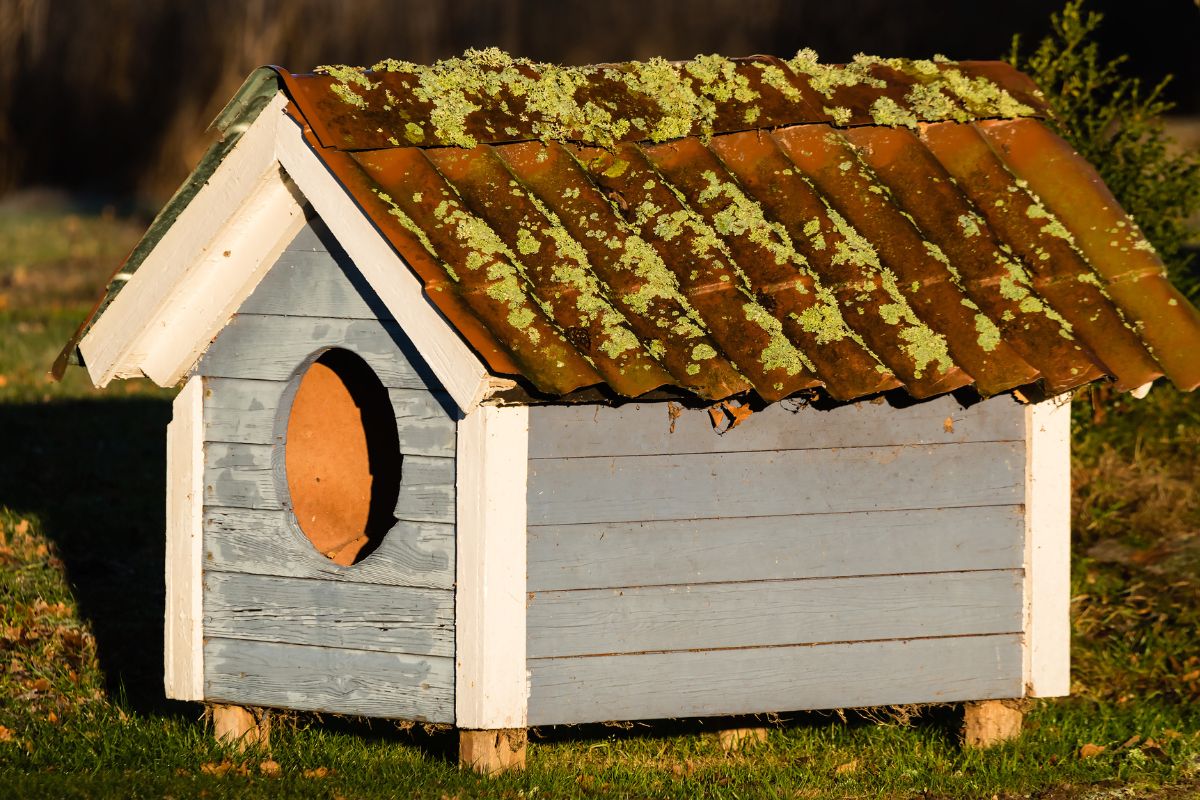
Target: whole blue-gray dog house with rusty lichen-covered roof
{"x":518,"y":395}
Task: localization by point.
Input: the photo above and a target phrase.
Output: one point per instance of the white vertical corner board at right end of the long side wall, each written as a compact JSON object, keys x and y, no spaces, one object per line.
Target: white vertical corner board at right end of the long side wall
{"x":1048,"y":549}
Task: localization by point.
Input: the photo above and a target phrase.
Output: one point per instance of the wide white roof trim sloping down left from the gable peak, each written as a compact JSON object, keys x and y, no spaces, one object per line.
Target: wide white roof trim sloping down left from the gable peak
{"x":203,"y":268}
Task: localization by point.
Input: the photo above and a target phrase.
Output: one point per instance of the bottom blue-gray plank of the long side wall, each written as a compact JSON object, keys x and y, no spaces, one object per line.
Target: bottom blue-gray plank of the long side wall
{"x":709,"y":683}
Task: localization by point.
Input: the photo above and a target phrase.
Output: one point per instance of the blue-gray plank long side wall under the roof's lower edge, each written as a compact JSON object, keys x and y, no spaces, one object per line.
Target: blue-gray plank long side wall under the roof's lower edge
{"x":806,"y":560}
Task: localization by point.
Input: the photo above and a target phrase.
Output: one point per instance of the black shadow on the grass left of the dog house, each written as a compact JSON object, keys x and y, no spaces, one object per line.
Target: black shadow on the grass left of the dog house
{"x":94,"y":473}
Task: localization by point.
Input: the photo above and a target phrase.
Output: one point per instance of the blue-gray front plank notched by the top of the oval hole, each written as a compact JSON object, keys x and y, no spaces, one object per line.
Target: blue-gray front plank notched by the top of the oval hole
{"x":266,"y":347}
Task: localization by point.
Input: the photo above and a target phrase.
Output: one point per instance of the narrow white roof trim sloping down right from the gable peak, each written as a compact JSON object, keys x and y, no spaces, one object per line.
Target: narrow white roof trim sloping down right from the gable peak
{"x":455,"y":365}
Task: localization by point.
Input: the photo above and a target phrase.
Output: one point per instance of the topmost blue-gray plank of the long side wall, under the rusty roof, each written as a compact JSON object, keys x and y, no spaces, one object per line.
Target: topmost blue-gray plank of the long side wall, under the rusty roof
{"x":649,"y":429}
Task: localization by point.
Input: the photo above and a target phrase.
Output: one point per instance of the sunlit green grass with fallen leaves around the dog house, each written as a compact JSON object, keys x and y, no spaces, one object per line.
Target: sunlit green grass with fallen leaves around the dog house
{"x":82,"y":712}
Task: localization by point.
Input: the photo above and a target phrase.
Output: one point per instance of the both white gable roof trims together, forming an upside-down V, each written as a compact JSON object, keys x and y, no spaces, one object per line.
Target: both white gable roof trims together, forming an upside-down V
{"x":224,"y":243}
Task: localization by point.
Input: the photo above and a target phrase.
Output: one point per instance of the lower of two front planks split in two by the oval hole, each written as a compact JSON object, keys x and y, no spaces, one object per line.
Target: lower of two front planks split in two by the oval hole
{"x":244,"y":477}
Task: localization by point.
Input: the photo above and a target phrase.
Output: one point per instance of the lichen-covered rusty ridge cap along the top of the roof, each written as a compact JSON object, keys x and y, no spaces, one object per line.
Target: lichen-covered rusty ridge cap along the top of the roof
{"x":491,"y":98}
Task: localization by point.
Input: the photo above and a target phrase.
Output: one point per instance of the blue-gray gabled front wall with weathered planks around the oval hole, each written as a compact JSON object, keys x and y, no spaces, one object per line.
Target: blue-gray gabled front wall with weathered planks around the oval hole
{"x":284,"y":625}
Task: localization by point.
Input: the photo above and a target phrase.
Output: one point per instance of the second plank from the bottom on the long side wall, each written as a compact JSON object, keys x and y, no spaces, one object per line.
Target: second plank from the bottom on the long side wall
{"x":773,"y":613}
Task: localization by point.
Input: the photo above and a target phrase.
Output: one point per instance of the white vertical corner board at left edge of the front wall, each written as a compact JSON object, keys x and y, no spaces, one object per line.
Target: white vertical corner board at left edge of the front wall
{"x":183,"y":633}
